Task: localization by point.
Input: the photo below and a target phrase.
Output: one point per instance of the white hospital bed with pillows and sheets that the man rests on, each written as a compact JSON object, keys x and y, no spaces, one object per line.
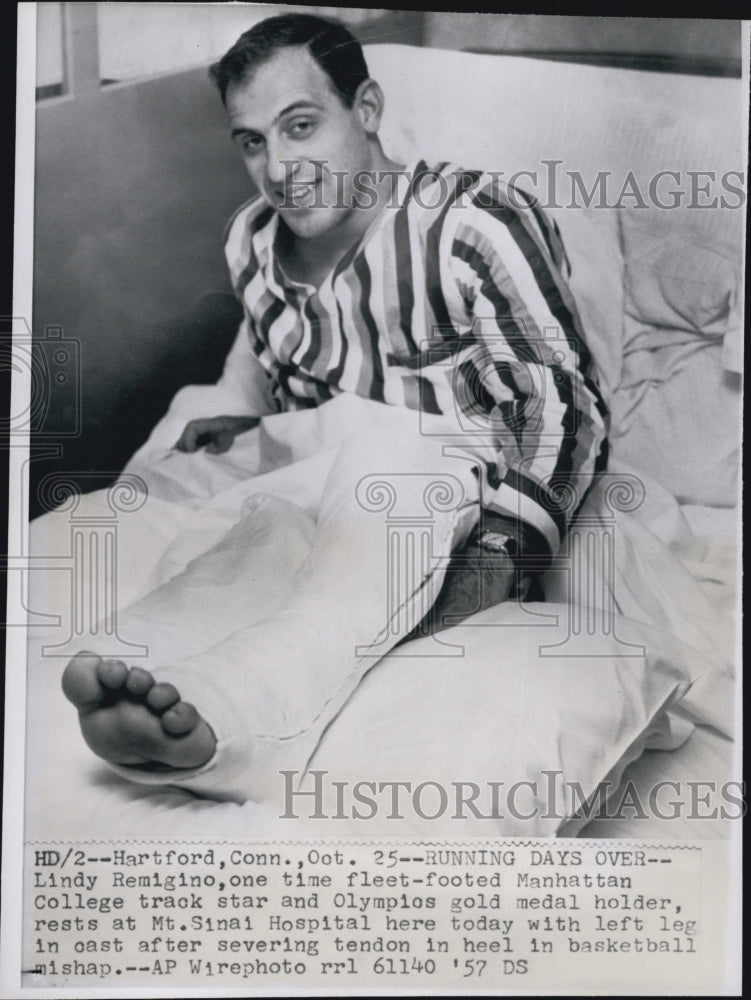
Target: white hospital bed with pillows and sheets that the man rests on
{"x":632,"y":682}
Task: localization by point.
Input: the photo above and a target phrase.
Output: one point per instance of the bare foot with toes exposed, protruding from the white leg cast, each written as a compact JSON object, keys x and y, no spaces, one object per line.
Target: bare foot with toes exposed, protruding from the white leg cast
{"x":127,"y":717}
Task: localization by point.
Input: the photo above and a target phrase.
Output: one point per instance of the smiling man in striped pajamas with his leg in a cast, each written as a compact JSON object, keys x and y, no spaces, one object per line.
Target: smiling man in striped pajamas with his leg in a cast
{"x":414,"y":304}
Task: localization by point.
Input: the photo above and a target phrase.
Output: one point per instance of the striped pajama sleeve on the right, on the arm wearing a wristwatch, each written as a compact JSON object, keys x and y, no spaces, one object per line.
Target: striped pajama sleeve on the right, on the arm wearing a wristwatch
{"x":530,"y":372}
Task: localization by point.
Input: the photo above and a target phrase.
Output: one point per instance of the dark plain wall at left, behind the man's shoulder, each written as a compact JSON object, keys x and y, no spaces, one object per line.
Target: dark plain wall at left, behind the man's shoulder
{"x":135,"y":182}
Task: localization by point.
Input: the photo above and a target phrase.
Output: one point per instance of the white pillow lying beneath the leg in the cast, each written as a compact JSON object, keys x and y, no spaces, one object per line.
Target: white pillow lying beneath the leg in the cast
{"x":501,"y":712}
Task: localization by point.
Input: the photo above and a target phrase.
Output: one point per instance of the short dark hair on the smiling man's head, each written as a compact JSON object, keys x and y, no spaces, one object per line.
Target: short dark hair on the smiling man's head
{"x":334,"y":48}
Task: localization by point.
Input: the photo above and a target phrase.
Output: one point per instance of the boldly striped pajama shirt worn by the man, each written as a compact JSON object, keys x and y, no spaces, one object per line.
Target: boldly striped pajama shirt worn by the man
{"x":454,"y":302}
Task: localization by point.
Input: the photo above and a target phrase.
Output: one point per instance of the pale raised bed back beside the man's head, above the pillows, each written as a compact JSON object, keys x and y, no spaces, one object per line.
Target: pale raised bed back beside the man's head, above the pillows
{"x":566,"y":120}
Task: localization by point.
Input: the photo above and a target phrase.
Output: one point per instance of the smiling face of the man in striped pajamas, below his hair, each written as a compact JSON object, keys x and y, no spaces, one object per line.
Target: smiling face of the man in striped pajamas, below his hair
{"x":302,"y":147}
